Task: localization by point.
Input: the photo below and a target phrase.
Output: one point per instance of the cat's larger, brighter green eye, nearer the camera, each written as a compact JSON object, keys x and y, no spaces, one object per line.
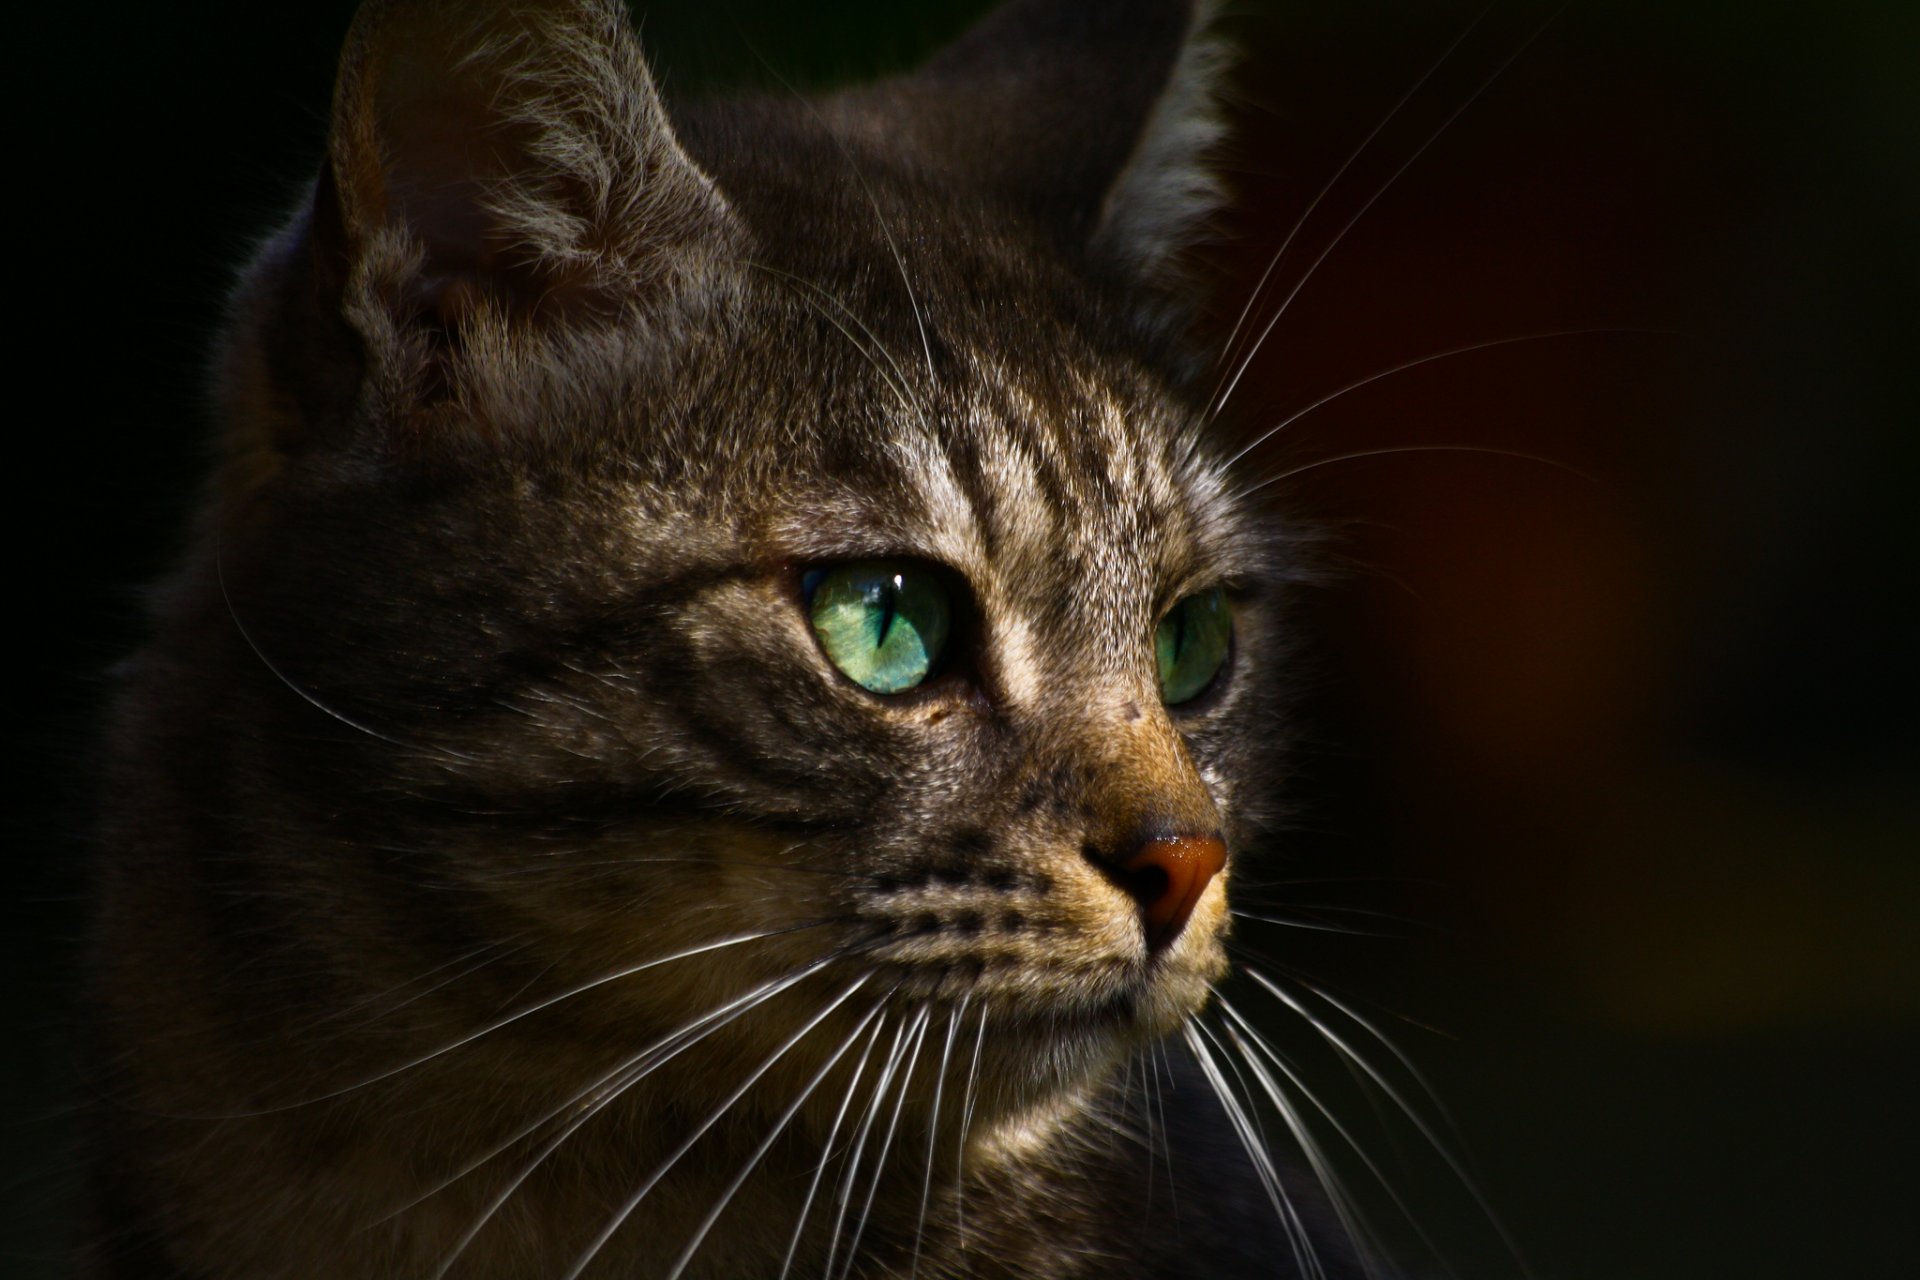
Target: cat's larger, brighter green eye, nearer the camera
{"x":882,"y":623}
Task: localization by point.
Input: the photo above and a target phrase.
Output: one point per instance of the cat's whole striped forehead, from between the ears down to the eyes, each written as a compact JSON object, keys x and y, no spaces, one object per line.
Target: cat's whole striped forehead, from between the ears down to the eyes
{"x":915,"y":377}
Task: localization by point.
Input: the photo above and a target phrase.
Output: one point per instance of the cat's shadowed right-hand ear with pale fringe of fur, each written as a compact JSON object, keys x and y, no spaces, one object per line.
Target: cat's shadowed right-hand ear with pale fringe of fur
{"x":1099,"y":118}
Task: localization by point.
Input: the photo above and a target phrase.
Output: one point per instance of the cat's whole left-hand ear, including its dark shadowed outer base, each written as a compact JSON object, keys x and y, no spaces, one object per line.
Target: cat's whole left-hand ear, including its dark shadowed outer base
{"x":496,"y":172}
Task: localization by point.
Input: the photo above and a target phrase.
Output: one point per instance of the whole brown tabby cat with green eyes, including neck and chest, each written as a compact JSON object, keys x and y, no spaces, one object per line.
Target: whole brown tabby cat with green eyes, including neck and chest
{"x":717,"y":694}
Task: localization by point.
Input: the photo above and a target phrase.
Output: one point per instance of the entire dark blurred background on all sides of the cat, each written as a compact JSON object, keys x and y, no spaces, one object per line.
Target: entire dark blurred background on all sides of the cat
{"x":1620,"y":747}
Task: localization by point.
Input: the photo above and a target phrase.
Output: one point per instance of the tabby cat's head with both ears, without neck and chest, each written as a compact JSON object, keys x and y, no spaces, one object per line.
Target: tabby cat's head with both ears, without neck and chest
{"x":780,"y":519}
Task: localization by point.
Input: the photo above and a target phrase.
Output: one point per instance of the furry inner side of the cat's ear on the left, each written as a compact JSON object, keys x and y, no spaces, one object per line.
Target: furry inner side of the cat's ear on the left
{"x":517,"y":149}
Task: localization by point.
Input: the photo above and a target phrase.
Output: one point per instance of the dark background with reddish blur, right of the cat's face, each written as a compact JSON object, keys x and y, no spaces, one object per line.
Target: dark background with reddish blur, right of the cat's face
{"x":1633,"y":747}
